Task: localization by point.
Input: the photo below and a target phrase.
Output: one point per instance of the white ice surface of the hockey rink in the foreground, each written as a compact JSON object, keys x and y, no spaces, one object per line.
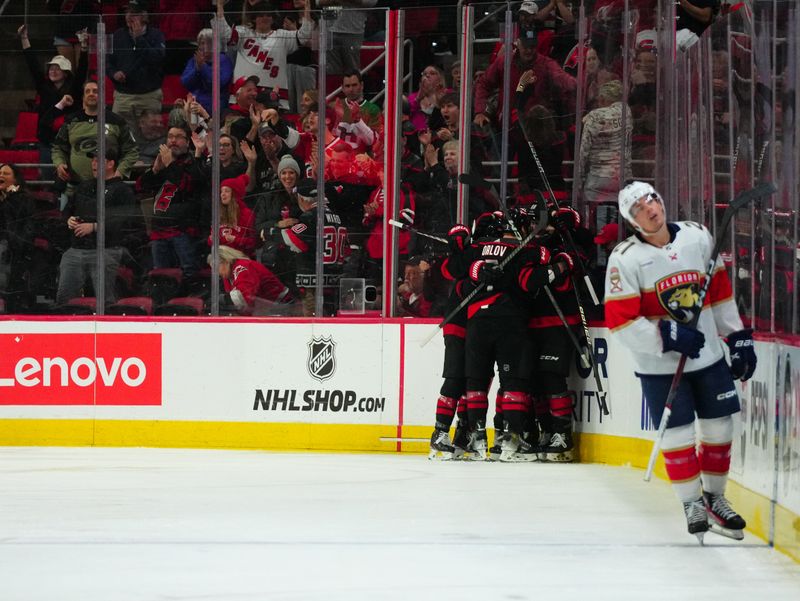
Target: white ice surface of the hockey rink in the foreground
{"x":108,"y":524}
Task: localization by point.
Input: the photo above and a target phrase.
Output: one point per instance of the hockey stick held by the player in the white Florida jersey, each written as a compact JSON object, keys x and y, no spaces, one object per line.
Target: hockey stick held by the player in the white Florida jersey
{"x":741,"y":200}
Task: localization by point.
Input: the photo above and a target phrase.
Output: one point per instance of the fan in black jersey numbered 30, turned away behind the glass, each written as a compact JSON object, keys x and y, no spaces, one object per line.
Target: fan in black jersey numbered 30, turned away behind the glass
{"x":301,"y":238}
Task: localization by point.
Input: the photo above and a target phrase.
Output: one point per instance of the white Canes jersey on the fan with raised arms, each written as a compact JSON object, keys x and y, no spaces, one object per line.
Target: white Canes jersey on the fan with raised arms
{"x":264,"y":55}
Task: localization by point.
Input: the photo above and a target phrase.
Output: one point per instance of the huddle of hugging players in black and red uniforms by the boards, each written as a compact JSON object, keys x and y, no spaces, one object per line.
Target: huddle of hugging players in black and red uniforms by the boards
{"x":505,"y":263}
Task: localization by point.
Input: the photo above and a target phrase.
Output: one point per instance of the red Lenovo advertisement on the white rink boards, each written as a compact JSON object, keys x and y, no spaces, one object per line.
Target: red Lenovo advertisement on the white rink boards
{"x":80,"y":369}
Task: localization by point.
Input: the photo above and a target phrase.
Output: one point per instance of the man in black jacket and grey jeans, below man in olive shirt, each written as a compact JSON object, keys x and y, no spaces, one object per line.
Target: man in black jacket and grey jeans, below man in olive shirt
{"x":123,"y":220}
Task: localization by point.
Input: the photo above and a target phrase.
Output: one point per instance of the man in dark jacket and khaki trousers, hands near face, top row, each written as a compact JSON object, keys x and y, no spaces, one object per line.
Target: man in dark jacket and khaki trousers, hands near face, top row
{"x":136,"y":65}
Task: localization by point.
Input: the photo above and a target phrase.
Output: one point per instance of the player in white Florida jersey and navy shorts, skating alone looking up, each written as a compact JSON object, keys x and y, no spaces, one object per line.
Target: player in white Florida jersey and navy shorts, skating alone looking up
{"x":652,"y":286}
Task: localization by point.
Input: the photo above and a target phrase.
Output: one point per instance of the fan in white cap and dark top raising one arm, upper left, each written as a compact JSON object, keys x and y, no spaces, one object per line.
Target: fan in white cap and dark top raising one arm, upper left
{"x":59,"y":91}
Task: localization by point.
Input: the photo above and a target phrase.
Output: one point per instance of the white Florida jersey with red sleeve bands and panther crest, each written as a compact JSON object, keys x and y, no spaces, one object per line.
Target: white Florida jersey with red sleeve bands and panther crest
{"x":645,"y":283}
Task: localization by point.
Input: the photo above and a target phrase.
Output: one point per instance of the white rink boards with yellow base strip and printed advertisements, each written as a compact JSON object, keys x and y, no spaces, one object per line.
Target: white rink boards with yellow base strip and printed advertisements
{"x":345,"y":385}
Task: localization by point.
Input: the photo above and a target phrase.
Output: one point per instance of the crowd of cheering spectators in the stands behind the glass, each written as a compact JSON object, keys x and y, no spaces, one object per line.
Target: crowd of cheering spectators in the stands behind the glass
{"x":158,"y":162}
